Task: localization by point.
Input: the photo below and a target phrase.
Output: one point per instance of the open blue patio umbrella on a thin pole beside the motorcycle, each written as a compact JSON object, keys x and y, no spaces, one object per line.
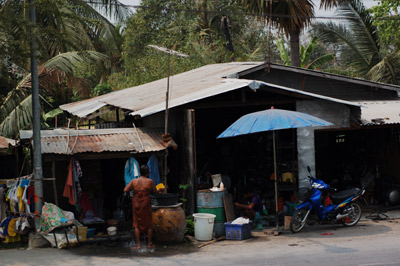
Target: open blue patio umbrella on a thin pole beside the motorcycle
{"x":271,"y":120}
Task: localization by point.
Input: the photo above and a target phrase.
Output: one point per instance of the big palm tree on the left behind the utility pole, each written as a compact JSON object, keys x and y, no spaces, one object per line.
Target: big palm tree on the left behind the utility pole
{"x":70,"y":34}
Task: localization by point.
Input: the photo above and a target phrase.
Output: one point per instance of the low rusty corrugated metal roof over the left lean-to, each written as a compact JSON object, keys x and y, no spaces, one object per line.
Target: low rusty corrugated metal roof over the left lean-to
{"x":68,"y":142}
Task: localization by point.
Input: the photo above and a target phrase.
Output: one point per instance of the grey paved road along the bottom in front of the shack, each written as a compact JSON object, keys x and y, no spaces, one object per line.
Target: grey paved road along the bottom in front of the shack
{"x":367,"y":244}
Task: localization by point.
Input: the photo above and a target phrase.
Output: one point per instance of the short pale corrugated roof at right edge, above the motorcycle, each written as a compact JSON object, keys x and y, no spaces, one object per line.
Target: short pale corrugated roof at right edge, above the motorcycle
{"x":380,"y":112}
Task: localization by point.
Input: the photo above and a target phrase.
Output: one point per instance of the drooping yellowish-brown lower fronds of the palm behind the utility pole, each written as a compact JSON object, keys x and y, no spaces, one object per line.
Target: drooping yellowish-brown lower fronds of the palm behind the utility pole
{"x":56,"y":82}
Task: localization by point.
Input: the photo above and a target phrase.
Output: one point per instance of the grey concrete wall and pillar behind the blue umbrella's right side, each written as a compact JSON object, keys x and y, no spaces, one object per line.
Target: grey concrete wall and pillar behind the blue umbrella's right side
{"x":338,"y":114}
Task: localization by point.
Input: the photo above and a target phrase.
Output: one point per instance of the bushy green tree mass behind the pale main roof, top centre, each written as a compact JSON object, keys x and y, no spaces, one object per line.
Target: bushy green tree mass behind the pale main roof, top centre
{"x":174,"y":25}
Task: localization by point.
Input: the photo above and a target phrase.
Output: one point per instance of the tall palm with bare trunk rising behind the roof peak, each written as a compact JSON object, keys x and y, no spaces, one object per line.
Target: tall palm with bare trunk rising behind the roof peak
{"x":291,"y":16}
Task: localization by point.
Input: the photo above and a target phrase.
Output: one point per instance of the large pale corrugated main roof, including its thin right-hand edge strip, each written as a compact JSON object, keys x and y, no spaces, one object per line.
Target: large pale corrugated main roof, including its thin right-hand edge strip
{"x":185,"y":87}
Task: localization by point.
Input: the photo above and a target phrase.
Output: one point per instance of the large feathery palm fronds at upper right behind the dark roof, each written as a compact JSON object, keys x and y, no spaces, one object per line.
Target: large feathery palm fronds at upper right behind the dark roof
{"x":358,"y":44}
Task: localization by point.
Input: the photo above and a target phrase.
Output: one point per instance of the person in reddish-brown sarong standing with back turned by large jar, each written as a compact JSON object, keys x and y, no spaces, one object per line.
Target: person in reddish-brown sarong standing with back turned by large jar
{"x":141,"y":205}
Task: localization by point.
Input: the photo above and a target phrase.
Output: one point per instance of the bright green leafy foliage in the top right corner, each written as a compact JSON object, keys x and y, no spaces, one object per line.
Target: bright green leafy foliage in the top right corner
{"x":386,"y":18}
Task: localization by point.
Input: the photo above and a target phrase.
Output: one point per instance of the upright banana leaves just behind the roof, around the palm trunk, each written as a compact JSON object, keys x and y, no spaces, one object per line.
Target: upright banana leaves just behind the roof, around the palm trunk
{"x":305,"y":54}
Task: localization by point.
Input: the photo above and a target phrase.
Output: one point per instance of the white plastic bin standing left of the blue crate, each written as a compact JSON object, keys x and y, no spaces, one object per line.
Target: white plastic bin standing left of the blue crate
{"x":203,"y":226}
